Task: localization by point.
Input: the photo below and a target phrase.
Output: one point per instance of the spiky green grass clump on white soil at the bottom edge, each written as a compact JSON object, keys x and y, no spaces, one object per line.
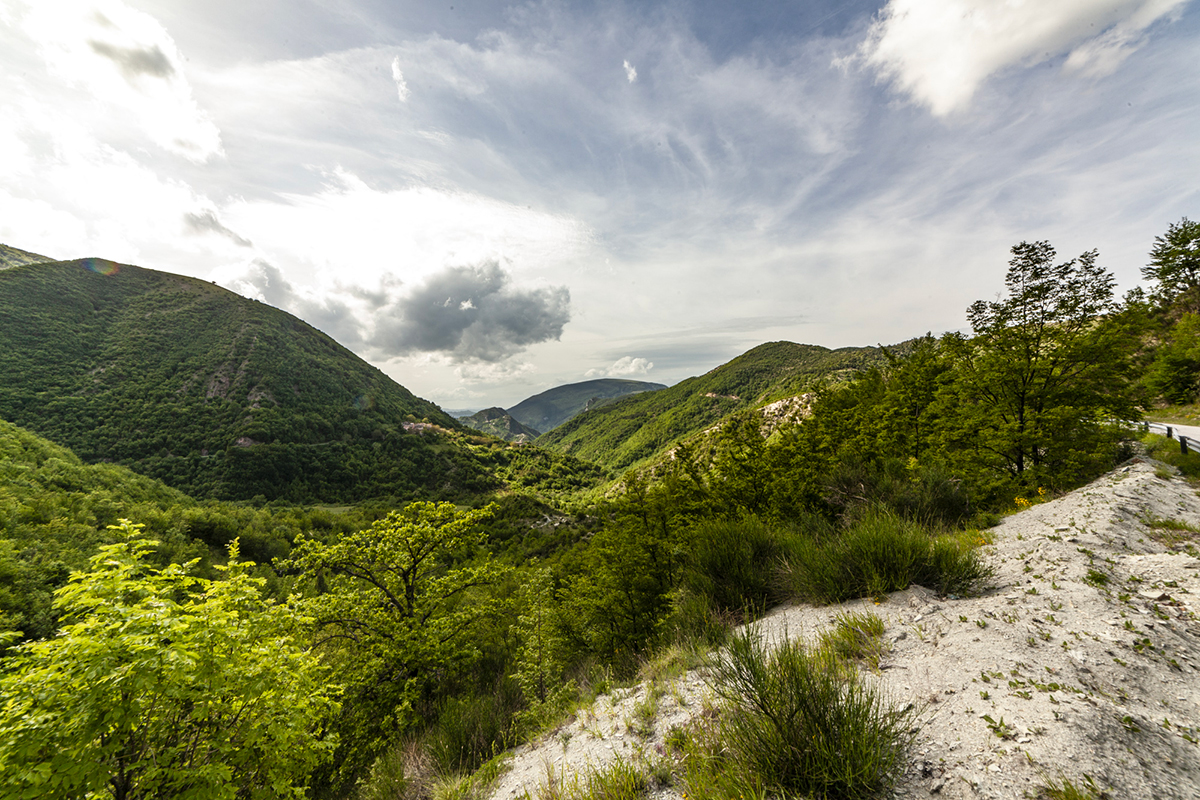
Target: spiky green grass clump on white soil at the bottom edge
{"x":796,"y":723}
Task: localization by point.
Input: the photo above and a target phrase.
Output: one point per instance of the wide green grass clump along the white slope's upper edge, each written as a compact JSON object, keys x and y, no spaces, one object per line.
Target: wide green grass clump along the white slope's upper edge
{"x":883,"y":554}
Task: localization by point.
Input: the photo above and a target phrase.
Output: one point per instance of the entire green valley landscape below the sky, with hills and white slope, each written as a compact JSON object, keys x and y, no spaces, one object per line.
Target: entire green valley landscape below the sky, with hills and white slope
{"x":470,"y":604}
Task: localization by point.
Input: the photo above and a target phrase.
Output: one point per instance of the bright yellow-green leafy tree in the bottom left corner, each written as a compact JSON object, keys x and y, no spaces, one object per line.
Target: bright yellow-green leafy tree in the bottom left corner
{"x":163,"y":685}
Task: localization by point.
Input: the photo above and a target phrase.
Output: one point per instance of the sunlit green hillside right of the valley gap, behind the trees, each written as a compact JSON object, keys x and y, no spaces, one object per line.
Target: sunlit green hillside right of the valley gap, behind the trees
{"x":626,"y":431}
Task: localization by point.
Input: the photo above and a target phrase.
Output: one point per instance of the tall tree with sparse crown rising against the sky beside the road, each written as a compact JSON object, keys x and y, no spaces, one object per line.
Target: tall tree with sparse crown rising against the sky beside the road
{"x":1048,"y":366}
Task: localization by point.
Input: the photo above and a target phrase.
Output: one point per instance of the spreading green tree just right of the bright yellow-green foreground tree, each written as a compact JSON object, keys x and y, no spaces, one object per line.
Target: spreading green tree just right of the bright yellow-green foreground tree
{"x":393,"y":612}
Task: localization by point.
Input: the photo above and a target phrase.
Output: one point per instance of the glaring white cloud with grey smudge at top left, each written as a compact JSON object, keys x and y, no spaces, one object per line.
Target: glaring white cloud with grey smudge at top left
{"x":128,"y":62}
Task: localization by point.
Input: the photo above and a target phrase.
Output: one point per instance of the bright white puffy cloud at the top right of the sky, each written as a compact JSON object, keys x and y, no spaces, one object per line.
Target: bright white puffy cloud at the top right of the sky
{"x":940,"y":53}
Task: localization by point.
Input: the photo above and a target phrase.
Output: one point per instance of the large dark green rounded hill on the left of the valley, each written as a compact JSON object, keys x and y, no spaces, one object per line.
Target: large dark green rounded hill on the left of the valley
{"x":214,"y":394}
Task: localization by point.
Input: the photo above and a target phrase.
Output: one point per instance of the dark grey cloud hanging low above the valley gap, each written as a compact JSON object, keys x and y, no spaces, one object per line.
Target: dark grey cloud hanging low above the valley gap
{"x":472,"y":314}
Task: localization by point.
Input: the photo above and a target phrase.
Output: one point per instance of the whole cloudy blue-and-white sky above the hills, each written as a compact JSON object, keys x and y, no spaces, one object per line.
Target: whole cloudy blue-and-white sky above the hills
{"x":489,"y":200}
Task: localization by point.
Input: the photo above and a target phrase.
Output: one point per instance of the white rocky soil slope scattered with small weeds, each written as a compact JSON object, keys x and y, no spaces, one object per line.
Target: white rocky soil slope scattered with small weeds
{"x":1084,"y":653}
